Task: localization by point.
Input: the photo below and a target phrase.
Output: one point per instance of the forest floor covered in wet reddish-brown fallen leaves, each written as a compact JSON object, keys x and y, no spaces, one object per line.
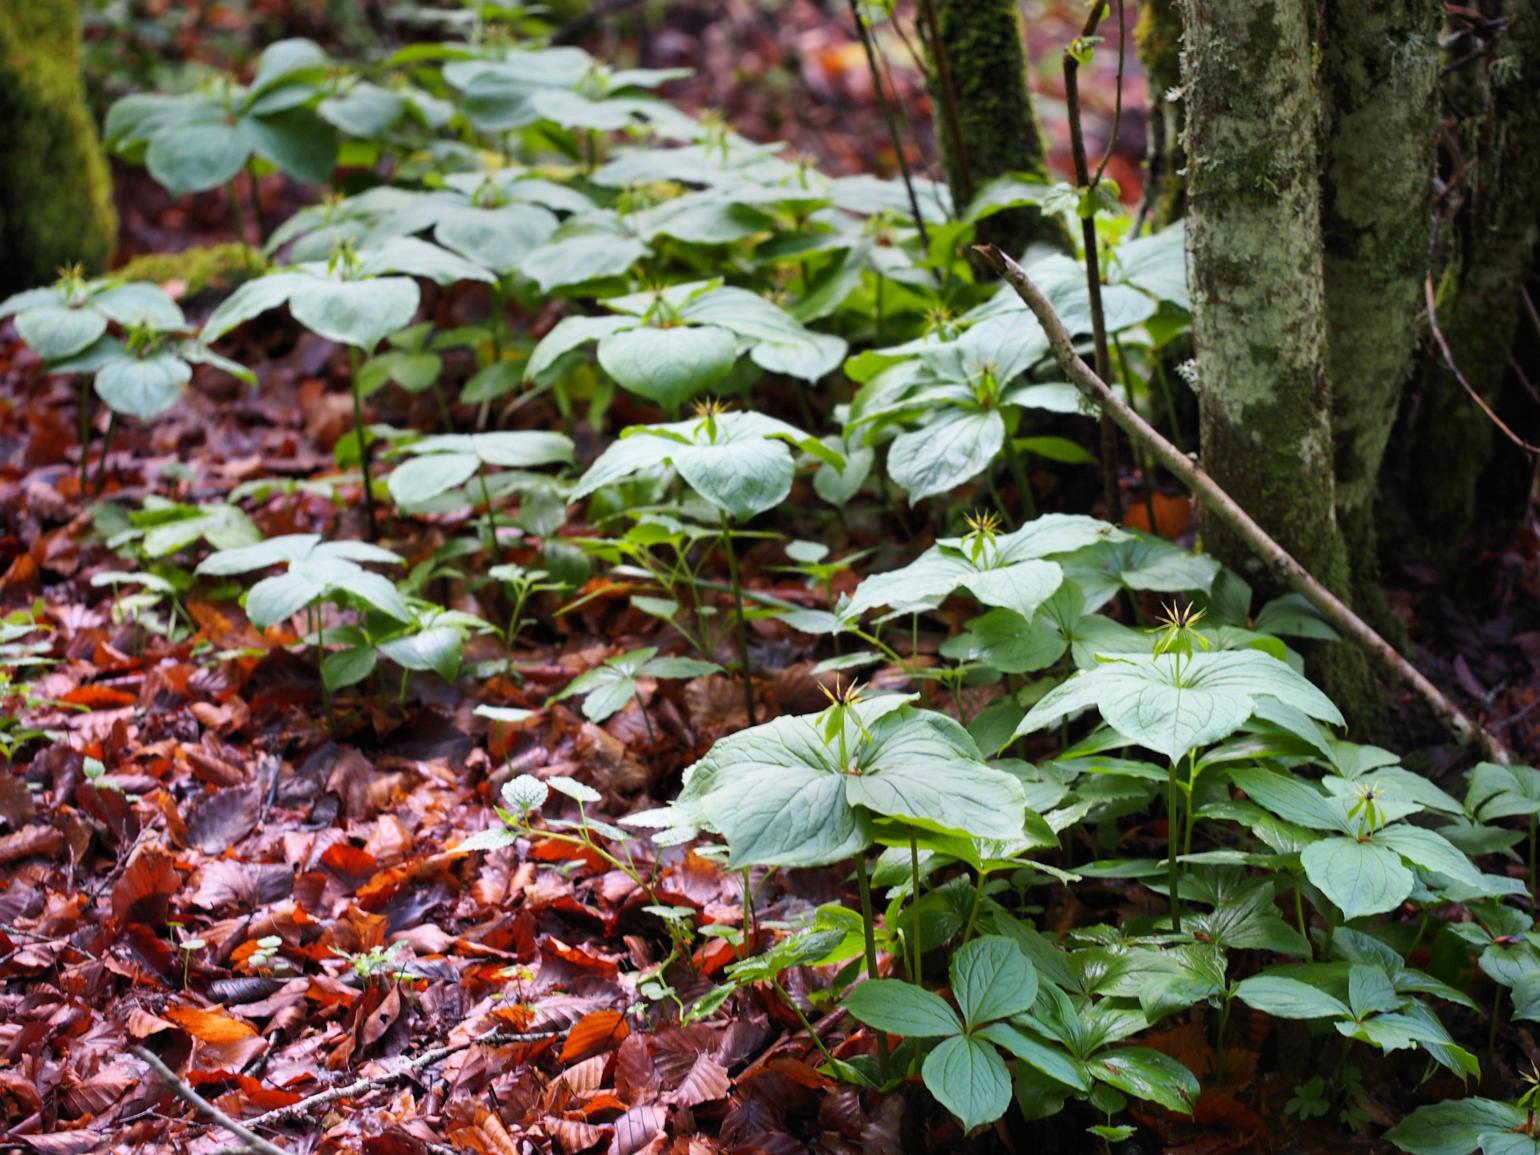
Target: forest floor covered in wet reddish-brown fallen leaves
{"x":259,"y":815}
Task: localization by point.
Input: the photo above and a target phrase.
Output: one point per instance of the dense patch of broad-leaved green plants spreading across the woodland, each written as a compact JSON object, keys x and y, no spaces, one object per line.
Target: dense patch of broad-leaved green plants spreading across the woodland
{"x":689,"y":261}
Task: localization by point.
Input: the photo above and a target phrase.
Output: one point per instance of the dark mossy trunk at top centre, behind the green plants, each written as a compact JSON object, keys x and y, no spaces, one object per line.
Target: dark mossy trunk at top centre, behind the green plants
{"x":983,"y":112}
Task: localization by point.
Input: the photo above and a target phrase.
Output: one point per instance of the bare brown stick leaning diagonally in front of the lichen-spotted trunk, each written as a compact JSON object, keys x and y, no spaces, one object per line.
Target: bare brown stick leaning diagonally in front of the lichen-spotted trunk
{"x":1240,"y":523}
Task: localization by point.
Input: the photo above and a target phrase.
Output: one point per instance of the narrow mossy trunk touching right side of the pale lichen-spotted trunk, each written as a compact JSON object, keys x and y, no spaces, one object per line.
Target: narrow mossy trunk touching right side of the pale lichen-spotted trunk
{"x":1379,"y":76}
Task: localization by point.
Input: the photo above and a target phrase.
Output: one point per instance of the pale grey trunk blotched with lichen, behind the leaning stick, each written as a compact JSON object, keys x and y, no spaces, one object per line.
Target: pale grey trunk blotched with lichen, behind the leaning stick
{"x":1259,"y":304}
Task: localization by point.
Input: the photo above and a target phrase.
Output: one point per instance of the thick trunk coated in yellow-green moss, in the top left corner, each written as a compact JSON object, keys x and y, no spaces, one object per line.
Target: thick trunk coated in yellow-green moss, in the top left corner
{"x":56,"y":192}
